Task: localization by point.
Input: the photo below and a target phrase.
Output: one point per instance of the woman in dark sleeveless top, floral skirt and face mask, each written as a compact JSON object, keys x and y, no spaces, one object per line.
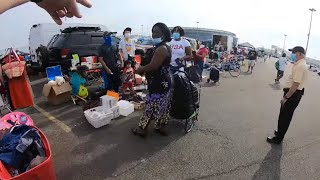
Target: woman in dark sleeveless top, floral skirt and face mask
{"x":160,"y":87}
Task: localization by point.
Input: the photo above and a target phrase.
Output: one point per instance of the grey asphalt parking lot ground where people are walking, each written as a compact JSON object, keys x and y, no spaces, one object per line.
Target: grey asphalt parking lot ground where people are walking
{"x":228,"y":141}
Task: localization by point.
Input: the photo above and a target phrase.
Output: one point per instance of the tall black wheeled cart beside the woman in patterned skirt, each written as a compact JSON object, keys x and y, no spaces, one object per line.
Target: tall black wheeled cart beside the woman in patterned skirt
{"x":186,"y":100}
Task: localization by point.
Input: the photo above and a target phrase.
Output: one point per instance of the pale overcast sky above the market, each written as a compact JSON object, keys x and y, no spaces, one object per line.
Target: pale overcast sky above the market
{"x":260,"y":22}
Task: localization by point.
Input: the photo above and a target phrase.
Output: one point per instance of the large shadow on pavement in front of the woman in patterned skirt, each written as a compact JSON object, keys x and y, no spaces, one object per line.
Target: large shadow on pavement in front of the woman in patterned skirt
{"x":114,"y":150}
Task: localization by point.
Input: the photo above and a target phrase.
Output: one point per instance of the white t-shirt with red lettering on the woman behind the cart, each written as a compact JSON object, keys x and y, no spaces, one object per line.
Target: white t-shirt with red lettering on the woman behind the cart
{"x":178,"y":50}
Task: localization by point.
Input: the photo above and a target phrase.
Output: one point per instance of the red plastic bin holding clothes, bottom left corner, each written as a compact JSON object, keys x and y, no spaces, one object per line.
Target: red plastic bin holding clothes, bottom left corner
{"x":44,"y":171}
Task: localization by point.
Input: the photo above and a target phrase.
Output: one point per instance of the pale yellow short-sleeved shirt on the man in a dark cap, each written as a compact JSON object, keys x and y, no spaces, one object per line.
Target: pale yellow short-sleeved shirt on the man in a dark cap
{"x":298,"y":74}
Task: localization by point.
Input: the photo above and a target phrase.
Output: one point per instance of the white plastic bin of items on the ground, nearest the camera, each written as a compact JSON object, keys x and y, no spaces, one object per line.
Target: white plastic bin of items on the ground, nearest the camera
{"x":98,"y":117}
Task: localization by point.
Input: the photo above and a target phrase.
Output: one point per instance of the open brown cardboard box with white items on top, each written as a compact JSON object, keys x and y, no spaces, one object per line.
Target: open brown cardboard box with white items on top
{"x":57,"y":94}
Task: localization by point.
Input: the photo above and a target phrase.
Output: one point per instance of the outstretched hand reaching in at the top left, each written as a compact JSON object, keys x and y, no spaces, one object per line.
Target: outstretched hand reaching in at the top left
{"x":61,"y":8}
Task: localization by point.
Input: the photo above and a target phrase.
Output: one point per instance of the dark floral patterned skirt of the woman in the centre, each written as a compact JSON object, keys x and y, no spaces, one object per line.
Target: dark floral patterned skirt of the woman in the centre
{"x":157,"y":109}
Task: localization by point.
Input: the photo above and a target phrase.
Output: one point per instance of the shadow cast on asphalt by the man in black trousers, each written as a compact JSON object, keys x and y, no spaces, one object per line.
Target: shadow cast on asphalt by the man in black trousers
{"x":270,"y":168}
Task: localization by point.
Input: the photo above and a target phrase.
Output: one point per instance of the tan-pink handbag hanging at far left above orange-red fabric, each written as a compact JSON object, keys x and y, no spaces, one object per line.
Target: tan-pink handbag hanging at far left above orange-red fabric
{"x":14,"y":66}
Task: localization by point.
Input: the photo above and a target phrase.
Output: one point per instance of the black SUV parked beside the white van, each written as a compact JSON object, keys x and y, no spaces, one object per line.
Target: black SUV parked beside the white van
{"x":84,"y":41}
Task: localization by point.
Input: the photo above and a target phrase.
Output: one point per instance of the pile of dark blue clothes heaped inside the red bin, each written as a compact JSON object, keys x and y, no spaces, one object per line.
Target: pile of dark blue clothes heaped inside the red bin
{"x":21,"y":149}
